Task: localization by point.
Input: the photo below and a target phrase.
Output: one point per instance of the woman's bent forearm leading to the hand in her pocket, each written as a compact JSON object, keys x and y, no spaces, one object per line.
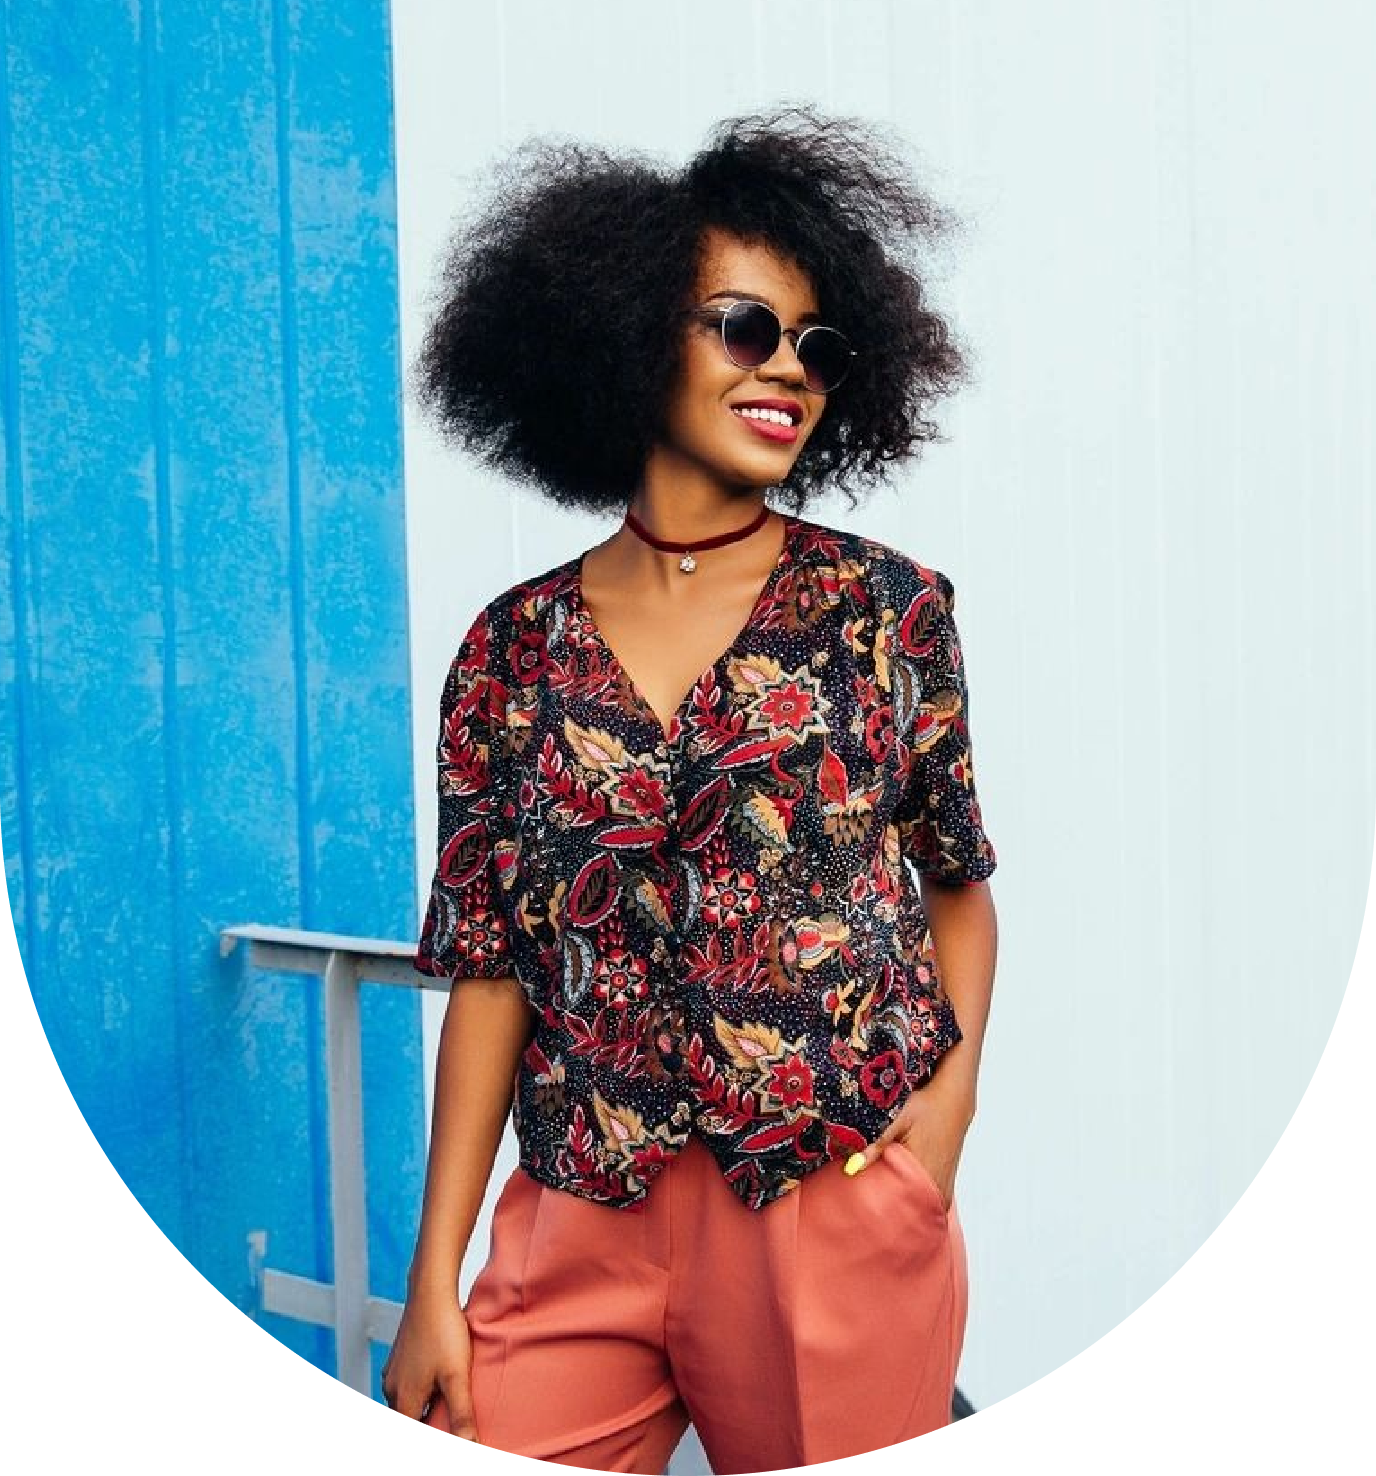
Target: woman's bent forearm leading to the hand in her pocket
{"x":965,"y":935}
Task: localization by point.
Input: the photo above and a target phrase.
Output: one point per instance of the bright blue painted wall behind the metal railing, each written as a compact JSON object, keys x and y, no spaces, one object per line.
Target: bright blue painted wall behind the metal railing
{"x":204,"y":613}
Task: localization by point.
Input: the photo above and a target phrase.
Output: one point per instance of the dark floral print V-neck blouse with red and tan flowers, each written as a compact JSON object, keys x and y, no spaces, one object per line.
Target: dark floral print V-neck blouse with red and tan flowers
{"x":715,"y":926}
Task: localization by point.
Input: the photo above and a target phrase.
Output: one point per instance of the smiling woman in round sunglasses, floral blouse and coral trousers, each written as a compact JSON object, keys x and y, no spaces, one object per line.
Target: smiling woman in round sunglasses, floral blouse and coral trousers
{"x":681,"y":782}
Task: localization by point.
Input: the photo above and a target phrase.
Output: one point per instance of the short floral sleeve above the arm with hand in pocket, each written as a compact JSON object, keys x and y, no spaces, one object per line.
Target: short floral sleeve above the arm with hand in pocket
{"x":940,"y":821}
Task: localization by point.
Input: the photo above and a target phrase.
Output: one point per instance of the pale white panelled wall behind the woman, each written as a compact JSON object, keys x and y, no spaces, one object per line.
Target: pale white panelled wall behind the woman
{"x":1157,"y":511}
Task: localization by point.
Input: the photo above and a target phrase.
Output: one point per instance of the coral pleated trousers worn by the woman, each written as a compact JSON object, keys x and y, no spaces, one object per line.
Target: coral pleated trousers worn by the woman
{"x":823,"y":1326}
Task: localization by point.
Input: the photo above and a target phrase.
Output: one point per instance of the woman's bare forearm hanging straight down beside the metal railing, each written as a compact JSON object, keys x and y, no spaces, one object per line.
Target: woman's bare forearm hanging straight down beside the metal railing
{"x":486,"y":1028}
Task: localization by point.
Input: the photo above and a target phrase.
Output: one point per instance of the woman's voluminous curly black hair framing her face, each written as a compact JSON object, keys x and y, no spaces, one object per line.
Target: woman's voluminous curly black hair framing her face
{"x":554,"y":345}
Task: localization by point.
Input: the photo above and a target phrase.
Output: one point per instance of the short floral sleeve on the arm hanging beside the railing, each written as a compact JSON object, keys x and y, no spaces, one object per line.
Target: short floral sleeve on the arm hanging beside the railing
{"x":464,"y":932}
